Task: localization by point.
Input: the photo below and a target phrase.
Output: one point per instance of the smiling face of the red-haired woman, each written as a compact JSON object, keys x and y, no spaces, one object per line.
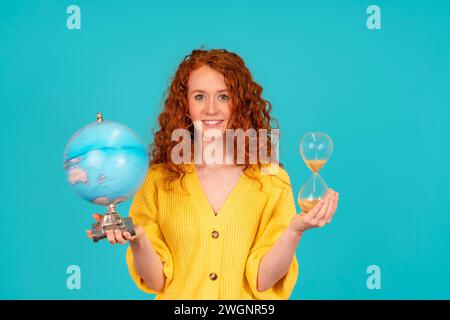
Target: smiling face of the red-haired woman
{"x":209,"y":100}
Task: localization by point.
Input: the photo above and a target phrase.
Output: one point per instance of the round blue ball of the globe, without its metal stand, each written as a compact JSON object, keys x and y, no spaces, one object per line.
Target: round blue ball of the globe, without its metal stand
{"x":105,"y":162}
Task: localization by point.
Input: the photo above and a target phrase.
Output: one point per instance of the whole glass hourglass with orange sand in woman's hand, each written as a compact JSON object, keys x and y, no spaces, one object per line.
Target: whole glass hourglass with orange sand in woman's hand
{"x":315,"y":148}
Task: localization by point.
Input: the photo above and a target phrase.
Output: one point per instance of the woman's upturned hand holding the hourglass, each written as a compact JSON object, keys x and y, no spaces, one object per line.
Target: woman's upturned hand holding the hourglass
{"x":320,"y":215}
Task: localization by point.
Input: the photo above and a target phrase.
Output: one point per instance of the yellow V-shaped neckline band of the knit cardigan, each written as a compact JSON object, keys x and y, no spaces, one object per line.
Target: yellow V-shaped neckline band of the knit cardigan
{"x":231,"y":199}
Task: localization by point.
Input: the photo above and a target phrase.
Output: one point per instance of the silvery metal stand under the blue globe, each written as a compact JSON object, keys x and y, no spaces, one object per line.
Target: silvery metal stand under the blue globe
{"x":111,"y":221}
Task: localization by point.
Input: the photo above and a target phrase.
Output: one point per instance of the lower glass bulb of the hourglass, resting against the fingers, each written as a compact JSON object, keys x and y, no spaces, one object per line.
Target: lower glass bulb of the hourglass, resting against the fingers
{"x":312,"y":192}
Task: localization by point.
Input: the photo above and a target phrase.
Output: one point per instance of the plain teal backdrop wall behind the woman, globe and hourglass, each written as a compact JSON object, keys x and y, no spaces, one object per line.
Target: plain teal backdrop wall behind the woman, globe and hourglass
{"x":382,"y":95}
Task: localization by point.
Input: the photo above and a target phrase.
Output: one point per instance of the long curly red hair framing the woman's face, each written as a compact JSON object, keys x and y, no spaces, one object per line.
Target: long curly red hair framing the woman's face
{"x":249,"y":110}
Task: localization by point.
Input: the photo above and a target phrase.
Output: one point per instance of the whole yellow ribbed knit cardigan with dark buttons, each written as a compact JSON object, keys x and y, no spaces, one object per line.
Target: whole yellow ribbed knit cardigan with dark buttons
{"x":180,"y":227}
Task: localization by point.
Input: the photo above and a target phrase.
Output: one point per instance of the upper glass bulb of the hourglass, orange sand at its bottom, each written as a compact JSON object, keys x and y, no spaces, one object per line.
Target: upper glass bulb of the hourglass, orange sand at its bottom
{"x":316,"y":149}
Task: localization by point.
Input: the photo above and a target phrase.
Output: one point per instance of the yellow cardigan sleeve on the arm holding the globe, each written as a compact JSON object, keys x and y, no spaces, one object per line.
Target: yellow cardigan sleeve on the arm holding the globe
{"x":143,"y":211}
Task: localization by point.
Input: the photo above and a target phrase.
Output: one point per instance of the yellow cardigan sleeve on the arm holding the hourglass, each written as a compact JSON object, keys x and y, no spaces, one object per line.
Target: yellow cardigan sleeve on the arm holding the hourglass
{"x":272,"y":228}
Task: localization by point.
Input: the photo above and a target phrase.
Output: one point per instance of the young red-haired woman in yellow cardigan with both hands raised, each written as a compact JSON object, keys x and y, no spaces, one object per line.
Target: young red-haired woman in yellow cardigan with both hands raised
{"x":215,"y":230}
